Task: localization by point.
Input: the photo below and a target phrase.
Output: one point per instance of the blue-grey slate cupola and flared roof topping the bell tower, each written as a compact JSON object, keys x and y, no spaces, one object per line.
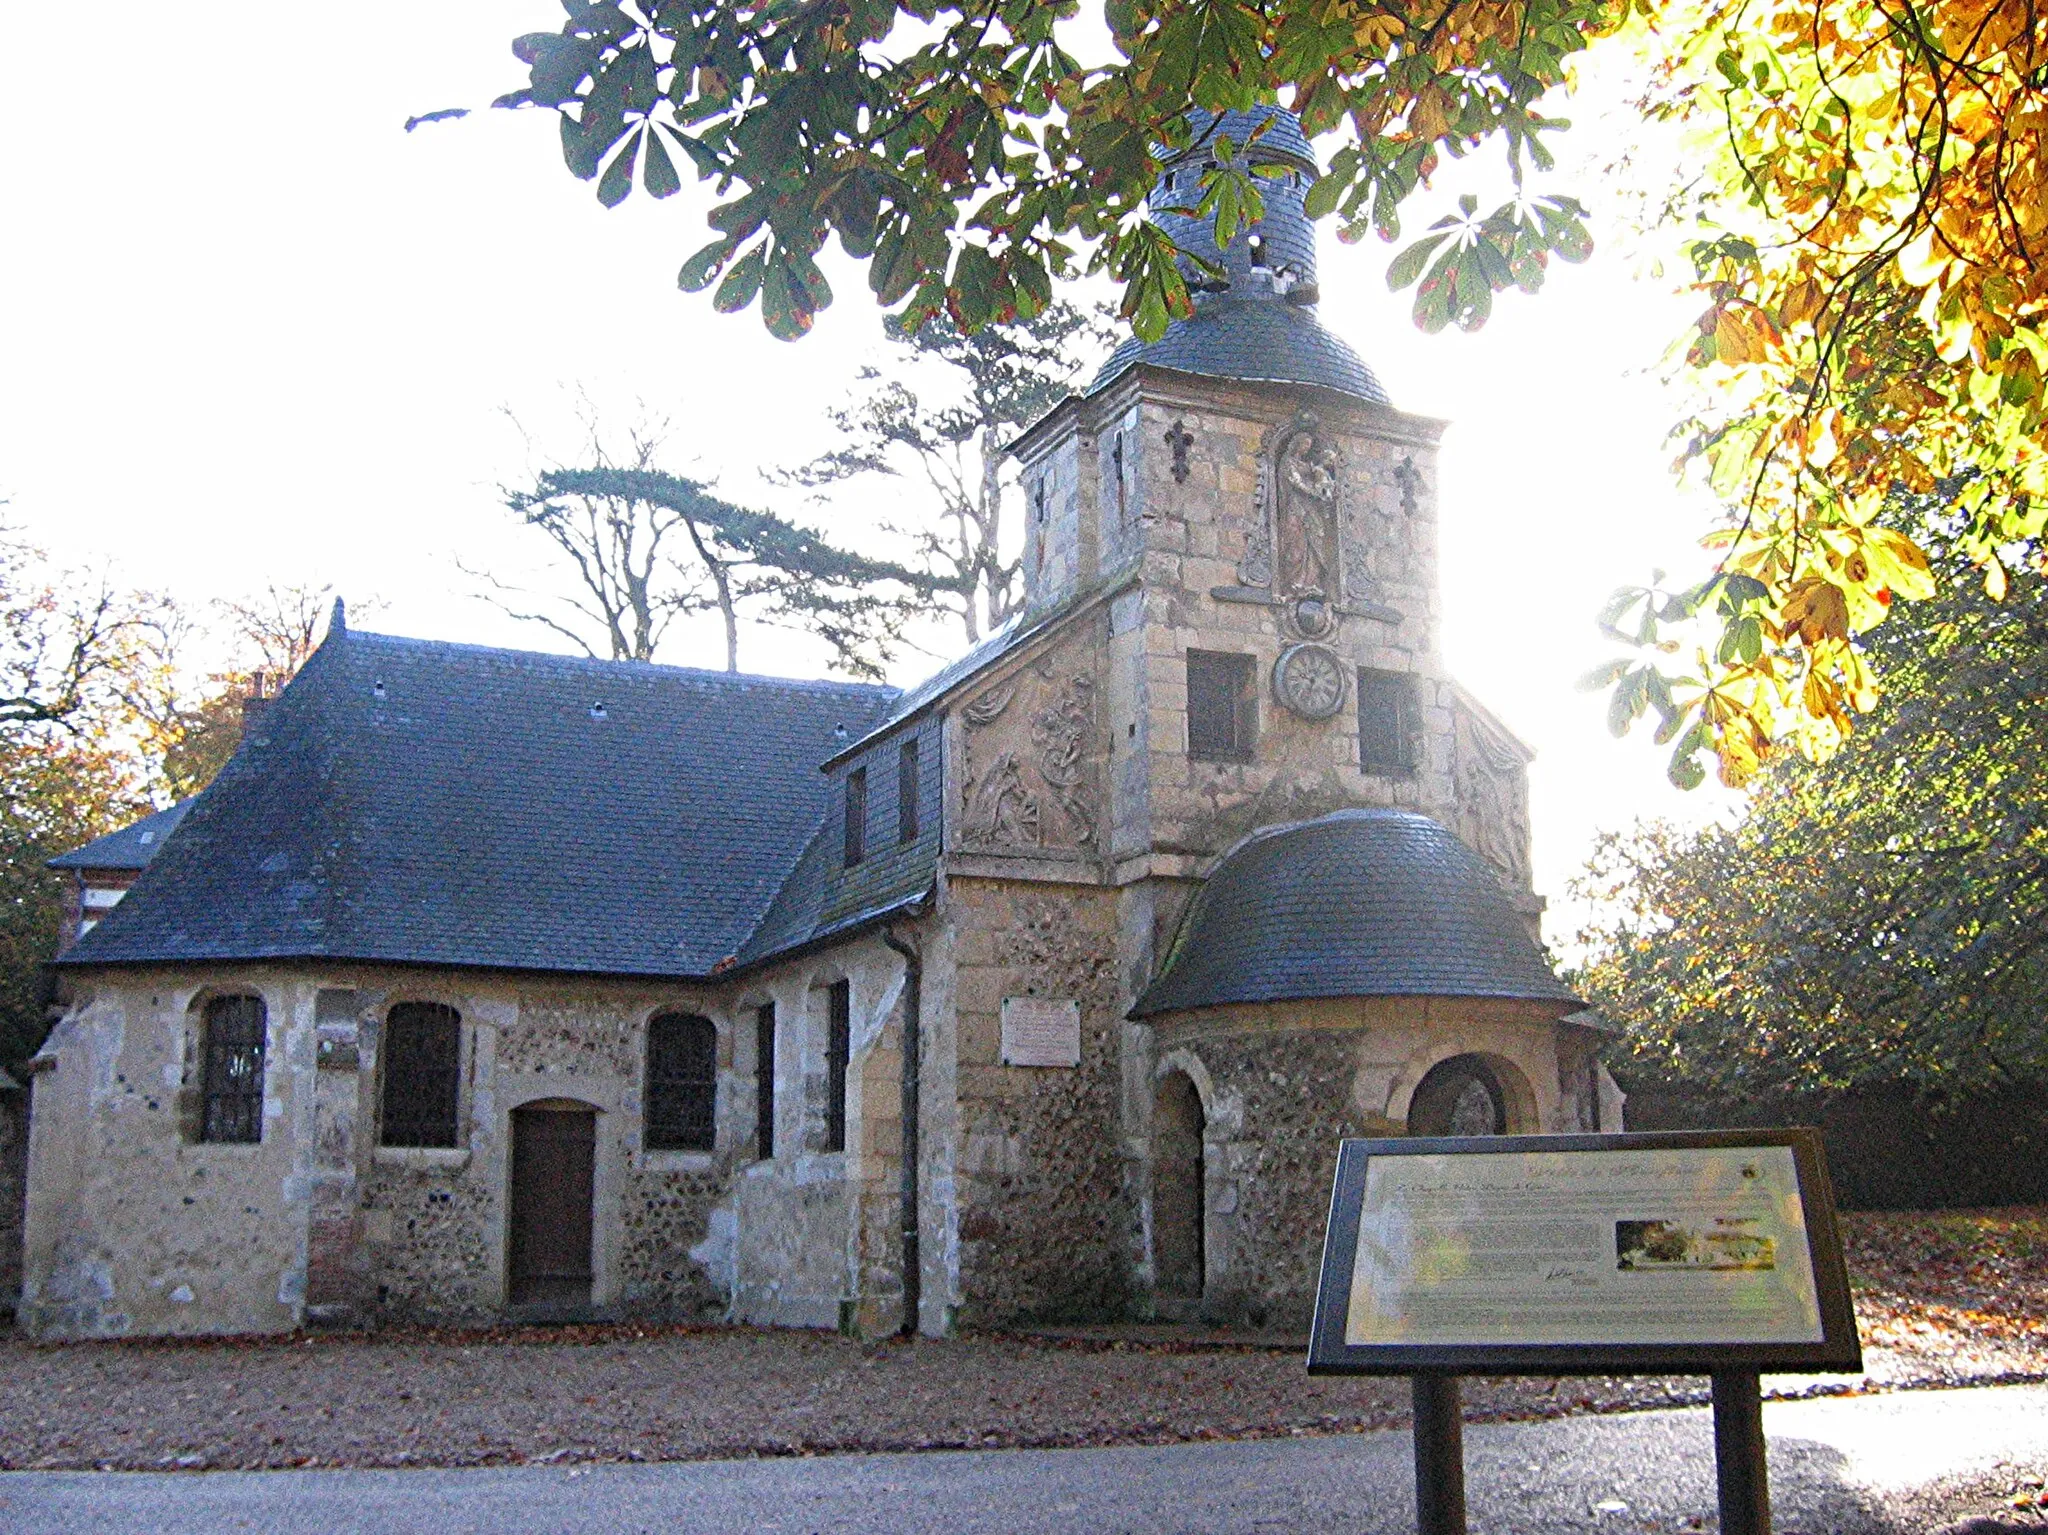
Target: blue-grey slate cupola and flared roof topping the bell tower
{"x":1258,"y":322}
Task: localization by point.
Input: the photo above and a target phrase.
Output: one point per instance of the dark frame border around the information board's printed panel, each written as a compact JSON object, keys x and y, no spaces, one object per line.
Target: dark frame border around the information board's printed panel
{"x":1840,"y":1348}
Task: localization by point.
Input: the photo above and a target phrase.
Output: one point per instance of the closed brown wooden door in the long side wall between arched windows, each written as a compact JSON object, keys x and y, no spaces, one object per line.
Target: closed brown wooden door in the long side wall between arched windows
{"x":554,"y":1157}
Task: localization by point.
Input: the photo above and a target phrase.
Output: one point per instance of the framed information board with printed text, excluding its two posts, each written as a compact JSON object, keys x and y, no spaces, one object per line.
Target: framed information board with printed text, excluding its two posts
{"x":1580,"y":1256}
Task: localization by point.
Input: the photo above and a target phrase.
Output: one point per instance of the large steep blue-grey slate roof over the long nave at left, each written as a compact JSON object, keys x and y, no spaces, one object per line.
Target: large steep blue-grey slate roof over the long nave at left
{"x":429,"y":803}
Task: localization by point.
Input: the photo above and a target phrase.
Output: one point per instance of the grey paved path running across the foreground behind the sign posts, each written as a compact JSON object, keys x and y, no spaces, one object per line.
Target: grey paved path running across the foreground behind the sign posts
{"x":1834,"y":1462}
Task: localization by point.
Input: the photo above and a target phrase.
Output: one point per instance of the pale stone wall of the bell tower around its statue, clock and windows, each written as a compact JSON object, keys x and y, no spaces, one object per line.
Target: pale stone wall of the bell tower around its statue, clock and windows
{"x":1185,"y":509}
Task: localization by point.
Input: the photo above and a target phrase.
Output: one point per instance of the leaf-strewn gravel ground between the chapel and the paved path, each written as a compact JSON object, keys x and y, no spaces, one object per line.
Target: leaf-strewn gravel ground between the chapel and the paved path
{"x":1945,"y":1301}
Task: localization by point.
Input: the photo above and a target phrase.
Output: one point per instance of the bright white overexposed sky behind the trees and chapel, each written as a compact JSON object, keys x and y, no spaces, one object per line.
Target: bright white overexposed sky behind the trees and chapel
{"x":255,"y":333}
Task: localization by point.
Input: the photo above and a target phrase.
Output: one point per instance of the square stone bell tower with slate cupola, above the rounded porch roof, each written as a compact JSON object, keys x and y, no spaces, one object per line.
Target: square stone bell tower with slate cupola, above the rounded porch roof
{"x":1263,"y":523}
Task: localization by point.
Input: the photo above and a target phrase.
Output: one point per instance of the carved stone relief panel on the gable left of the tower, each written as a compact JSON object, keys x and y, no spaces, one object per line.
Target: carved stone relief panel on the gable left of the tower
{"x":1033,"y":754}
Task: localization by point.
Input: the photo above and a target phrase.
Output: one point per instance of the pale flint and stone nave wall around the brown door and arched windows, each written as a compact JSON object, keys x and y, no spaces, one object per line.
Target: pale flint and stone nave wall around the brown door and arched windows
{"x":222,"y":1239}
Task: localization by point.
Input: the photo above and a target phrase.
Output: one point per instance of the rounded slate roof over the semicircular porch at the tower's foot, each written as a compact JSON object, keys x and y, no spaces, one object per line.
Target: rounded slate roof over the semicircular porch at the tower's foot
{"x":1359,"y":904}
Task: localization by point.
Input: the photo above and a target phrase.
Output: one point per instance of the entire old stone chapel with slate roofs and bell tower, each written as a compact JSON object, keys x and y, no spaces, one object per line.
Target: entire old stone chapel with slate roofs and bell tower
{"x":503,"y":985}
